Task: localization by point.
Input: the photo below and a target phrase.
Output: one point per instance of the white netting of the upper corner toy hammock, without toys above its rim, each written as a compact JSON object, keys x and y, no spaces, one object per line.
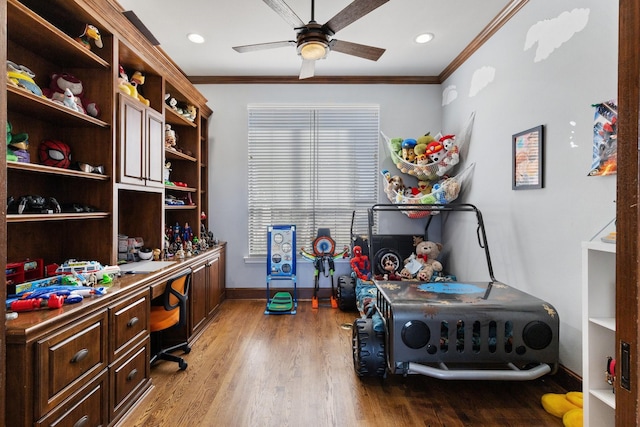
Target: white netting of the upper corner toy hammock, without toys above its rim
{"x":431,"y":171}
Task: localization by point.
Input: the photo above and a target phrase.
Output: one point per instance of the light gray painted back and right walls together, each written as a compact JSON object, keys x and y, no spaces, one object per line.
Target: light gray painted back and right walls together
{"x":534,"y":235}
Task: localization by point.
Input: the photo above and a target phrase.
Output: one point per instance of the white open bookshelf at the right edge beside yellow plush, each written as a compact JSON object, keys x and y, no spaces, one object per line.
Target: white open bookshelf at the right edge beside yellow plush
{"x":598,"y":330}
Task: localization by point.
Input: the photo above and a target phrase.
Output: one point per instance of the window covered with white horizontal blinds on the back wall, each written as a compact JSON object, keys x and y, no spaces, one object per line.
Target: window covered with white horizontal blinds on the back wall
{"x":311,"y":167}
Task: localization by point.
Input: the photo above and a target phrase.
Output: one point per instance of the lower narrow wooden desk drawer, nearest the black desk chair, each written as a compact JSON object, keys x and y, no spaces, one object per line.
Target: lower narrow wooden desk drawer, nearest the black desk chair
{"x":128,"y":377}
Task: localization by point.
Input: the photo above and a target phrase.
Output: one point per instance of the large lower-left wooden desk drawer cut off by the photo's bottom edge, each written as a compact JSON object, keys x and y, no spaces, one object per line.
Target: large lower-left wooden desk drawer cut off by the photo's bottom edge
{"x":86,"y":408}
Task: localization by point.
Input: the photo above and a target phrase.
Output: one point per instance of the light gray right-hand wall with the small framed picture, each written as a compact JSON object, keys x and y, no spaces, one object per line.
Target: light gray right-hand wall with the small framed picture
{"x":535,"y":235}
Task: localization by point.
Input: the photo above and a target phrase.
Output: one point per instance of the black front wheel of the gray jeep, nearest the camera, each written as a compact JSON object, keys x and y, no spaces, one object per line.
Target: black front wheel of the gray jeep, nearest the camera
{"x":369,"y":359}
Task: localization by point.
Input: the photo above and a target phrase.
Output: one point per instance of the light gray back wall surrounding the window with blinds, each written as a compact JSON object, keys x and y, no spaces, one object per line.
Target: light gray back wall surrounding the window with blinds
{"x":404,"y":110}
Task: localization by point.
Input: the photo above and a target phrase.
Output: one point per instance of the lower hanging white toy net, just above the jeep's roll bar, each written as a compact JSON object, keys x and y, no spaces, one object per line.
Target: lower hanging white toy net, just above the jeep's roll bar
{"x":442,"y":192}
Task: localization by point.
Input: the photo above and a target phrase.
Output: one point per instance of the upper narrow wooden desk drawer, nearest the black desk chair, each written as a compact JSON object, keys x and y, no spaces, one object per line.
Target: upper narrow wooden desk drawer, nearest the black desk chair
{"x":129,"y":323}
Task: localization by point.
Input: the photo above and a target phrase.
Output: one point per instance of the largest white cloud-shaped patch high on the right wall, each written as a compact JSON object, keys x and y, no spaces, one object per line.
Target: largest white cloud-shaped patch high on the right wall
{"x":550,"y":34}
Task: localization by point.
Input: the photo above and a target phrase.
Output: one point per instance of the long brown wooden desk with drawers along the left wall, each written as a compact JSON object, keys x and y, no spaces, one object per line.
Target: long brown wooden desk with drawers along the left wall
{"x":90,"y":361}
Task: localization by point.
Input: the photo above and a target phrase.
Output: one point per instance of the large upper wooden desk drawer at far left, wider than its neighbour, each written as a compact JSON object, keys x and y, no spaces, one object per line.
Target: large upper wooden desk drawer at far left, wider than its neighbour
{"x":68,"y":359}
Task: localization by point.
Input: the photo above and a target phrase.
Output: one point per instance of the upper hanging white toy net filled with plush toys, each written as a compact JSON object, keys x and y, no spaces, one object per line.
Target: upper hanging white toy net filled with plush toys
{"x":422,"y":166}
